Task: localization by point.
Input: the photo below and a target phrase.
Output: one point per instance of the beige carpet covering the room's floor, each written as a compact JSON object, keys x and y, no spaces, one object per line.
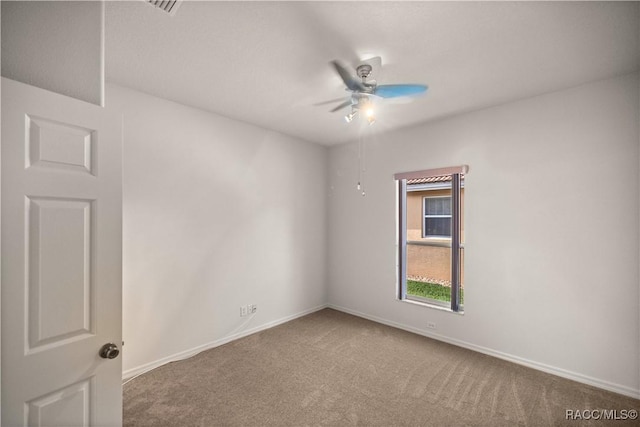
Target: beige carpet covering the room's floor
{"x":331,"y":368}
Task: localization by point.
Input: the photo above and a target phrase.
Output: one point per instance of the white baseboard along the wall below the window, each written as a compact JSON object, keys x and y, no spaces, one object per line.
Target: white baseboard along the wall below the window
{"x":616,"y":388}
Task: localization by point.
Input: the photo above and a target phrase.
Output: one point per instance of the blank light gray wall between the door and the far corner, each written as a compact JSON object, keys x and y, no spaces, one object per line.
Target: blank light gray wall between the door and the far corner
{"x":217,"y":214}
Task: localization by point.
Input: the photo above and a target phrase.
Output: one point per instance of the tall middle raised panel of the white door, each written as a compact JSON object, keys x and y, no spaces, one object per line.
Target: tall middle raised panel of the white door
{"x":60,"y":289}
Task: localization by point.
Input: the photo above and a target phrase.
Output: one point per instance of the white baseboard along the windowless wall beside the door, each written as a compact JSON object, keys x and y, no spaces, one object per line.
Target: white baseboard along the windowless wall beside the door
{"x":139,"y":370}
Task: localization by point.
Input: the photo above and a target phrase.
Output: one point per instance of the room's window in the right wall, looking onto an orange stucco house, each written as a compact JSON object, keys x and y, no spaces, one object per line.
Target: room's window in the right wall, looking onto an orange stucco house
{"x":431,"y":237}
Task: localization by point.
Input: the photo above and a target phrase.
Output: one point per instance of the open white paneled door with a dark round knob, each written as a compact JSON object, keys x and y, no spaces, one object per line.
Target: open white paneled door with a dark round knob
{"x":61,"y":260}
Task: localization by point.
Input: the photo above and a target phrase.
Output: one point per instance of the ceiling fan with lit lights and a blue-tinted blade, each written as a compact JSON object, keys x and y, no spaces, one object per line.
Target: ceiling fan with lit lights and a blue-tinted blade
{"x":362,"y":89}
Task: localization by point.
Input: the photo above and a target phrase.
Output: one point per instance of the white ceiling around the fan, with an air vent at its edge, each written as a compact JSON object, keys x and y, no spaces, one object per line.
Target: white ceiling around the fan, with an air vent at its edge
{"x":267,"y":63}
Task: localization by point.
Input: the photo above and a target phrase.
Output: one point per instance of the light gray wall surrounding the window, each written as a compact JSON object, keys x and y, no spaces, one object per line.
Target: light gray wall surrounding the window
{"x":551,"y":275}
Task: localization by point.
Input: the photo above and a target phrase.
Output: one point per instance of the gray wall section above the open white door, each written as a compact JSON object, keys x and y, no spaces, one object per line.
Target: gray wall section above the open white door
{"x":55,"y":45}
